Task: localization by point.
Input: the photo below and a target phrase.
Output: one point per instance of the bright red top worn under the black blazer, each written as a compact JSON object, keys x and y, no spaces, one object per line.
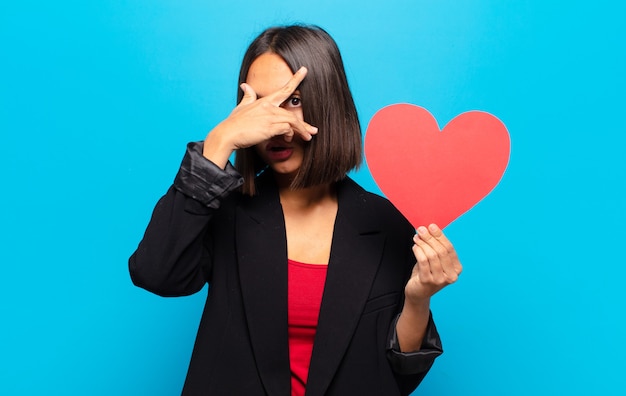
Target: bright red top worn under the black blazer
{"x":306,"y":286}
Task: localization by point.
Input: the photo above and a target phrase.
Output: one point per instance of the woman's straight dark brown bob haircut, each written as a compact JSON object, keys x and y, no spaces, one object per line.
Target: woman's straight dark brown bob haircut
{"x":326,"y":103}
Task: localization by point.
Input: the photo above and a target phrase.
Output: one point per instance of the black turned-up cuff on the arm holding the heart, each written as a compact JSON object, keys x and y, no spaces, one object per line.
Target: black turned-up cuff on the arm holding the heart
{"x":406,"y":363}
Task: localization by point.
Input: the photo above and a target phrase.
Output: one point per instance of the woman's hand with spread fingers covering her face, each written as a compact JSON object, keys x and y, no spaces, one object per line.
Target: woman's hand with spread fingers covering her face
{"x":256,"y":120}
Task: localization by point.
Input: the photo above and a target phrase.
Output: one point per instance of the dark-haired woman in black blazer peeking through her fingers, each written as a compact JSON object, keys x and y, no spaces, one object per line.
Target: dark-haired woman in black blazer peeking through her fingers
{"x":314,"y":284}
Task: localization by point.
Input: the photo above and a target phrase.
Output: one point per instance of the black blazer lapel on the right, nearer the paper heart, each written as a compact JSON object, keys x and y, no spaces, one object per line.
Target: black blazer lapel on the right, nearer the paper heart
{"x":354,"y":260}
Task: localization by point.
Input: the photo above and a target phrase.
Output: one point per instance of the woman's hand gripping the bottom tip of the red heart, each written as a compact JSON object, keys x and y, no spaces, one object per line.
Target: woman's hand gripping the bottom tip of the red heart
{"x":437,"y":264}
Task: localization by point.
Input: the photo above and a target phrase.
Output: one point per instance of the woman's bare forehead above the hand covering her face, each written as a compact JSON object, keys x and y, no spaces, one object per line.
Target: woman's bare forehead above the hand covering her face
{"x":268,"y":73}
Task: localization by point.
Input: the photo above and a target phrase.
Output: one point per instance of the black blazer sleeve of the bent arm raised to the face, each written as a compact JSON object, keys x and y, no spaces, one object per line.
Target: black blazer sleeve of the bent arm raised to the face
{"x":172,"y":259}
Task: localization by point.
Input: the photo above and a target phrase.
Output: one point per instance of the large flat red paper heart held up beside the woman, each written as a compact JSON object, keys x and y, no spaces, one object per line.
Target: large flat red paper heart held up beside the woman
{"x":435,"y":176}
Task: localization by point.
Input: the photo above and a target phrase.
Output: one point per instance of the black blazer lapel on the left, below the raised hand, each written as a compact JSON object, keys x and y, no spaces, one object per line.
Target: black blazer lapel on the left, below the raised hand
{"x":262,"y":259}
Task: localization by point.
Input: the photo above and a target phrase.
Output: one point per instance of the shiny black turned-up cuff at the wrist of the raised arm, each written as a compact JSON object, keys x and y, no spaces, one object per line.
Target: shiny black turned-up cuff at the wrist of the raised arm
{"x":204,"y":181}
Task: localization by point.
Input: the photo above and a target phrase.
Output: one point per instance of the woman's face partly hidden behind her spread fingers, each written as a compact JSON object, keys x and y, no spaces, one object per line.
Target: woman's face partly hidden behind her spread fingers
{"x":267,"y":74}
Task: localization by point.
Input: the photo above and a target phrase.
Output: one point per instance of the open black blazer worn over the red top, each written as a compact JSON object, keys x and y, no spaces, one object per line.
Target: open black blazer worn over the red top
{"x":202,"y":231}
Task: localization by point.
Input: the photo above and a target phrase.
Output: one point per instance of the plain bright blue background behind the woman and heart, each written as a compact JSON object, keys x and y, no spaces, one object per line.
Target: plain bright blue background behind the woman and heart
{"x":97,"y":101}
